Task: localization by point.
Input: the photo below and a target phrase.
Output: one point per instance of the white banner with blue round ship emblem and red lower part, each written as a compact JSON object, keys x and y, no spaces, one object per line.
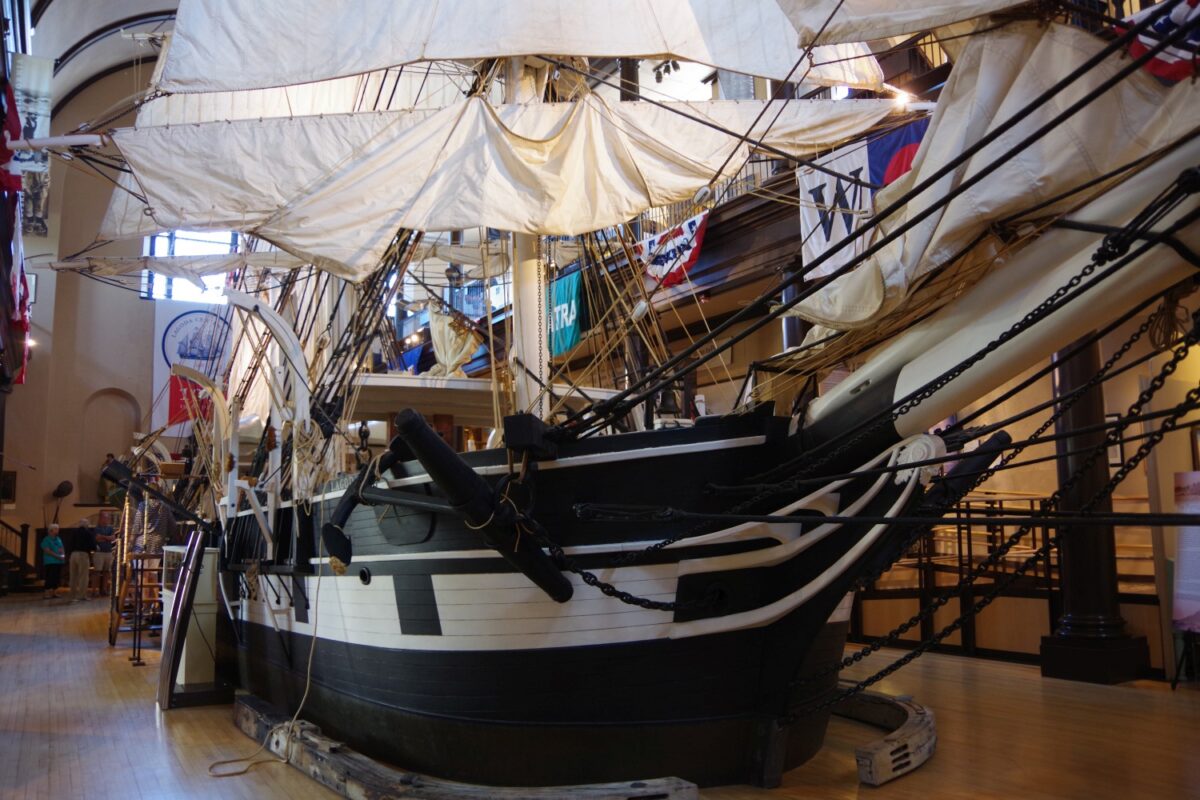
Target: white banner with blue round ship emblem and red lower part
{"x":196,"y":335}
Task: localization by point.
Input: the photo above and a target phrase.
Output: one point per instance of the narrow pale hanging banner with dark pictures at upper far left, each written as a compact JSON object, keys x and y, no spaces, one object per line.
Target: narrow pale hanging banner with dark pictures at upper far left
{"x":32,"y":79}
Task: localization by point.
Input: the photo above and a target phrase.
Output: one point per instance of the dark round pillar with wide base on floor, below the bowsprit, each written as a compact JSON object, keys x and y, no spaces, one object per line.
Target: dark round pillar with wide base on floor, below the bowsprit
{"x":1090,"y":642}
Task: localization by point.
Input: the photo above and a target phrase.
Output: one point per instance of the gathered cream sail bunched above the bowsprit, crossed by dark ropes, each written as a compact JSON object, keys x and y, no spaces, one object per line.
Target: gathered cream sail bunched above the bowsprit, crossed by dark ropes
{"x":999,"y":75}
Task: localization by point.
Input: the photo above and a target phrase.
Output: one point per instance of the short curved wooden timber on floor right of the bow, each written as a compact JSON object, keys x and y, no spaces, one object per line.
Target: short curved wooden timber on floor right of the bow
{"x":910,"y":744}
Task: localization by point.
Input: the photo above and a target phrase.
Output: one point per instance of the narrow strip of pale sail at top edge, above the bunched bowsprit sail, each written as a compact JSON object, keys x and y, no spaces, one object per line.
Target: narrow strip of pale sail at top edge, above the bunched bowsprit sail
{"x":862,"y":21}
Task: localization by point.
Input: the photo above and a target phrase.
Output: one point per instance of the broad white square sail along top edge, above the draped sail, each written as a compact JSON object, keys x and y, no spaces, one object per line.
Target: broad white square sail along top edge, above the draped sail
{"x":219,"y":44}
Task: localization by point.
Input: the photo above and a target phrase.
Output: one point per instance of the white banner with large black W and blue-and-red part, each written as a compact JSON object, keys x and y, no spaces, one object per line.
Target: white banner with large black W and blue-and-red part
{"x":833,"y":208}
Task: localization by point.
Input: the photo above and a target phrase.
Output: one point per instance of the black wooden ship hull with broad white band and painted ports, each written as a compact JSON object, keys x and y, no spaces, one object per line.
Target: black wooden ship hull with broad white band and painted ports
{"x":500,"y":685}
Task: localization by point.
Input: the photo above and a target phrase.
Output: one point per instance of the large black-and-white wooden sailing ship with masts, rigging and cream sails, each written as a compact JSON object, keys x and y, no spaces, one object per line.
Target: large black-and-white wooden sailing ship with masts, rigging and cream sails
{"x":589,"y":601}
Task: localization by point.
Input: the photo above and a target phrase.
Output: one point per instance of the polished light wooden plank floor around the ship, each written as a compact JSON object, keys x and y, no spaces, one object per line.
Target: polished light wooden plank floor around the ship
{"x":79,"y":721}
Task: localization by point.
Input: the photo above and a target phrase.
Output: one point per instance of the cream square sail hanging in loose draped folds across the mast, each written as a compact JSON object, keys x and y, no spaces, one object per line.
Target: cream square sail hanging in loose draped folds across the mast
{"x":334,"y":189}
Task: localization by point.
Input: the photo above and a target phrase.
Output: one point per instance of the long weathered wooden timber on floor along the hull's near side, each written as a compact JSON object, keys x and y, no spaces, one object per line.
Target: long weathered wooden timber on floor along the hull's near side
{"x":353,"y":775}
